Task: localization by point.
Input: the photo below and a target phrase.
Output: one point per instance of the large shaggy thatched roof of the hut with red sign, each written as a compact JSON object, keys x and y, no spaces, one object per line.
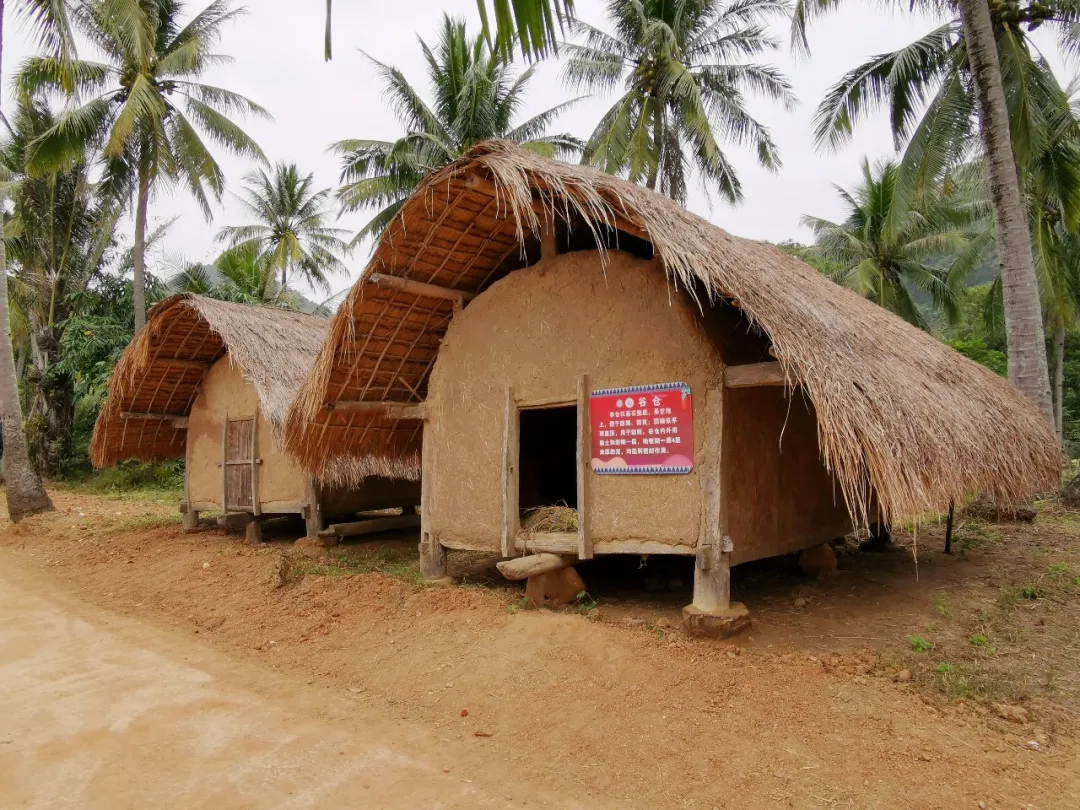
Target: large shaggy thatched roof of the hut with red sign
{"x":899,"y":413}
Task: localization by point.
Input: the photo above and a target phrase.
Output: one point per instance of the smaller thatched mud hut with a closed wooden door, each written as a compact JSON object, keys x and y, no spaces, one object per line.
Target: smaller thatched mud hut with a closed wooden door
{"x":211,"y":383}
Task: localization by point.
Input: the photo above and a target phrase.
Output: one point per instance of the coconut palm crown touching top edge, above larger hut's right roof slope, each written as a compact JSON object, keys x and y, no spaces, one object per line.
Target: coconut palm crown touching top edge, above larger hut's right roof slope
{"x":685,"y":72}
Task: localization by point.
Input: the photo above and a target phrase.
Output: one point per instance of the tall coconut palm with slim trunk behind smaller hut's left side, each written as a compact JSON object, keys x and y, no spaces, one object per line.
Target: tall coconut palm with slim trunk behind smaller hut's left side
{"x":145,"y":109}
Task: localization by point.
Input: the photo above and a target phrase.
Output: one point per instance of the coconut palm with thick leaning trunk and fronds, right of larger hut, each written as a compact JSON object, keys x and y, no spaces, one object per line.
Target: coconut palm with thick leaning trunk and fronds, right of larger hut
{"x":994,"y":63}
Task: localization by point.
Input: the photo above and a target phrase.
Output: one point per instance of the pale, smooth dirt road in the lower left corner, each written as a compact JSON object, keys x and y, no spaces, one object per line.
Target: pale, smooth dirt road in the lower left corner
{"x":105,"y":712}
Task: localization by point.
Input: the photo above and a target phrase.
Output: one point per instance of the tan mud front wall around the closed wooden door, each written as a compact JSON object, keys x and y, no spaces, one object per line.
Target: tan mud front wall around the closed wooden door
{"x":225,"y":390}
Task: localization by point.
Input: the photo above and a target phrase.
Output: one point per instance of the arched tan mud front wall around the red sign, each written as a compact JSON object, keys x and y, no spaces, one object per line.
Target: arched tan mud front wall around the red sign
{"x":541,"y":330}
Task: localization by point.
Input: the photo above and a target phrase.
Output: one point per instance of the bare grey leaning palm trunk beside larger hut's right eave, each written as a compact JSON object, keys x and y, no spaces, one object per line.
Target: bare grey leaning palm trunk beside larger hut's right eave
{"x":1024,"y":333}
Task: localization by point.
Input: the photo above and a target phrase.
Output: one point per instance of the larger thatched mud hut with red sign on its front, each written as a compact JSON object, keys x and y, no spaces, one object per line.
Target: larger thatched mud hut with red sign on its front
{"x":548,"y":334}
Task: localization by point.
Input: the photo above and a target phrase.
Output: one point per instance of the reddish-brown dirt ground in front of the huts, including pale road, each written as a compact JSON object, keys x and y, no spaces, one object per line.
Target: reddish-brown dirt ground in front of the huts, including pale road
{"x":606,"y":705}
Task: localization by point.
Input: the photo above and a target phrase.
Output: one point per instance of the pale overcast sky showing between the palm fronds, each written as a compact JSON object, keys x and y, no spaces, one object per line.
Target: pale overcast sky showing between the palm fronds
{"x":279,"y":63}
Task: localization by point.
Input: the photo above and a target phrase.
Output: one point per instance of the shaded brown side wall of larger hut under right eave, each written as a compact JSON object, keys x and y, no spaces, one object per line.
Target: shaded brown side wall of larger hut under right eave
{"x":779,"y":496}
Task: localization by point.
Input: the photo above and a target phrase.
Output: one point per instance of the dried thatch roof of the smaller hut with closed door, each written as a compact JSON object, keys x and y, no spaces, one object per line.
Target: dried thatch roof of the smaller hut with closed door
{"x":159,"y":375}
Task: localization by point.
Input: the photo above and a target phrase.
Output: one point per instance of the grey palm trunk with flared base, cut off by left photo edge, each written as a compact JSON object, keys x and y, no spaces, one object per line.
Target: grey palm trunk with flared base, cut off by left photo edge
{"x":26,"y":496}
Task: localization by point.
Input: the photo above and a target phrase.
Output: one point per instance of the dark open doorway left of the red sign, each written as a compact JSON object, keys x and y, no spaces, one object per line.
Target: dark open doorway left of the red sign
{"x":548,"y":465}
